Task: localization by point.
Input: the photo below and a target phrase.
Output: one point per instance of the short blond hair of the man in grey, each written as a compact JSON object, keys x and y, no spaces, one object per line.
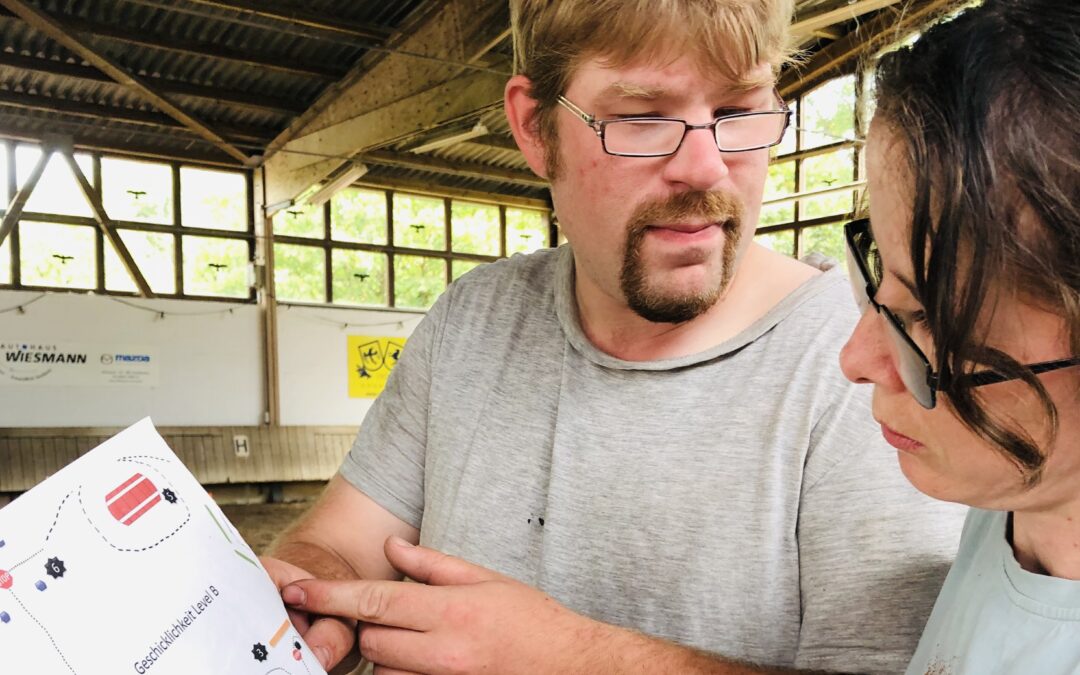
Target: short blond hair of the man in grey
{"x":553,"y":37}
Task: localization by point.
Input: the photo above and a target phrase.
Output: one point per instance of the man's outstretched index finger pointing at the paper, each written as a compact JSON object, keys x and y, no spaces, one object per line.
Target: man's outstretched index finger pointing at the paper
{"x":389,"y":603}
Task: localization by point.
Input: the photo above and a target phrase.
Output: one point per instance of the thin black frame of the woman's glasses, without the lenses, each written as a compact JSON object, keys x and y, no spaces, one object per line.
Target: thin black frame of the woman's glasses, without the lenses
{"x":935,"y":382}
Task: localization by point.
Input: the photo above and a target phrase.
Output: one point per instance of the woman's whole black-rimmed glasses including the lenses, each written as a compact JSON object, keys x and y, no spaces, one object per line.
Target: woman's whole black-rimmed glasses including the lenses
{"x":866,"y":272}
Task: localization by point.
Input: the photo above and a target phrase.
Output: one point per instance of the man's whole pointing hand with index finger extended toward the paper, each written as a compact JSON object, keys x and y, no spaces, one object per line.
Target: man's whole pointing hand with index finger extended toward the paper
{"x":461,"y":618}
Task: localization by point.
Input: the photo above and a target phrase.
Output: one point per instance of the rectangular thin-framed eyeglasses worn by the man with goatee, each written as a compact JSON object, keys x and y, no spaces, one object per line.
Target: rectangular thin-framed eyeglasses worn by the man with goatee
{"x":660,"y":137}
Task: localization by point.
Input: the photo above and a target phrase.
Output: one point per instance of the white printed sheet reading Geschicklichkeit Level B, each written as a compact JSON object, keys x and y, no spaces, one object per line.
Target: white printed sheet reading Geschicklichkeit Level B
{"x":121,"y":563}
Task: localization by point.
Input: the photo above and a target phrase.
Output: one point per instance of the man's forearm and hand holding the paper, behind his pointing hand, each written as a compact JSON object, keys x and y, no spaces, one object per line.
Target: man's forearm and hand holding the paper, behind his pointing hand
{"x":339,"y":538}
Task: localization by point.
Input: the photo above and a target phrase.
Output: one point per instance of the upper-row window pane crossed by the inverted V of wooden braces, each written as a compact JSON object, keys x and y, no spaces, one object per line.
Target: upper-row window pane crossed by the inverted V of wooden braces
{"x":58,"y":192}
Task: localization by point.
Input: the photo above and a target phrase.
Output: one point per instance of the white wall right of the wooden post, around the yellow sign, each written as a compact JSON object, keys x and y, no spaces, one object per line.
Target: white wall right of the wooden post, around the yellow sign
{"x":313,"y":360}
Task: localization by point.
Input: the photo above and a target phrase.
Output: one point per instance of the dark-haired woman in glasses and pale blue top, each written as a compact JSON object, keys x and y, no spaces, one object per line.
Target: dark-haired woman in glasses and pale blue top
{"x":971,"y":263}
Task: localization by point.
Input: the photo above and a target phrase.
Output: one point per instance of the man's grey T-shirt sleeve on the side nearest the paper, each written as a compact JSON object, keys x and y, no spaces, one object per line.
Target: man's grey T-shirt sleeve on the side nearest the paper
{"x":387,"y":460}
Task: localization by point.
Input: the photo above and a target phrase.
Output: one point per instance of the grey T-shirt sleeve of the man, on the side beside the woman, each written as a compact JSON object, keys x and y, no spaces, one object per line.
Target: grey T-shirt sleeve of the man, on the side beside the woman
{"x":873,"y":550}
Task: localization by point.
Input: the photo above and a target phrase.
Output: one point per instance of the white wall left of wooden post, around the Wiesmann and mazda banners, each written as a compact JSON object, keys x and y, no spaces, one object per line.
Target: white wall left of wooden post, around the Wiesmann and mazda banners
{"x":210,"y":362}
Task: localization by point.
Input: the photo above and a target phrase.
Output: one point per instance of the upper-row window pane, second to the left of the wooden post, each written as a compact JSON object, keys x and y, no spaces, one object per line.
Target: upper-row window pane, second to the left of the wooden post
{"x":141,"y":192}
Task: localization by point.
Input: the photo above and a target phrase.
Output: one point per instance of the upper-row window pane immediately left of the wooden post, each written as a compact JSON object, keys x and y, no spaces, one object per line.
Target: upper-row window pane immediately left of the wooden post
{"x":213,"y":199}
